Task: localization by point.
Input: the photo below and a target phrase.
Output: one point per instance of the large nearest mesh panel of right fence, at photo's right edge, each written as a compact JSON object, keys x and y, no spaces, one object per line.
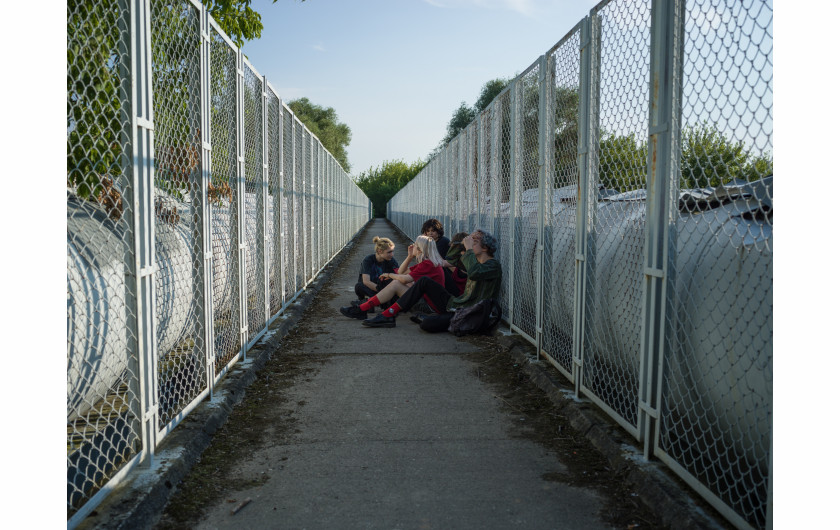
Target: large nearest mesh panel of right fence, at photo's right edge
{"x":718,"y":379}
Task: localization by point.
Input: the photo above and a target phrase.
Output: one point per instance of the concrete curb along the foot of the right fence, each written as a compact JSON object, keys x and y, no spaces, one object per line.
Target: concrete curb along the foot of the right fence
{"x":651,"y":480}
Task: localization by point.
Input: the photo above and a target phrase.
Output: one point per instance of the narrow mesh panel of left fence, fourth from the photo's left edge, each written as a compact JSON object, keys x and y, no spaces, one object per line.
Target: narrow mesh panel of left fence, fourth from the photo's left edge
{"x":254,"y":196}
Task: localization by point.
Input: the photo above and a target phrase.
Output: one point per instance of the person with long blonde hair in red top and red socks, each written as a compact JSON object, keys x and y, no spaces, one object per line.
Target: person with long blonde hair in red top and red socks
{"x":429,"y":264}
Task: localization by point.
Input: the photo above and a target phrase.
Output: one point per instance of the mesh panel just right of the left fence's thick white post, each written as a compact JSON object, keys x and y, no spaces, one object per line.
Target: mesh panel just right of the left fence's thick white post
{"x":179,"y":282}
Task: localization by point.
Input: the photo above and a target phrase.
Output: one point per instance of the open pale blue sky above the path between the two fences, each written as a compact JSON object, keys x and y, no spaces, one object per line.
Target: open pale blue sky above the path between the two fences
{"x":395,"y":70}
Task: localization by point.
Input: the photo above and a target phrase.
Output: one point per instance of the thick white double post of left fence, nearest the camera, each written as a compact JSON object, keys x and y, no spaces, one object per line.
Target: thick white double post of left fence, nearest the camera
{"x":144,"y":267}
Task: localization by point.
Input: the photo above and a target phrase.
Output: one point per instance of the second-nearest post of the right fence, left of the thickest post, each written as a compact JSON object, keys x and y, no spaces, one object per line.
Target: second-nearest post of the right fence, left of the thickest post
{"x":587,"y":182}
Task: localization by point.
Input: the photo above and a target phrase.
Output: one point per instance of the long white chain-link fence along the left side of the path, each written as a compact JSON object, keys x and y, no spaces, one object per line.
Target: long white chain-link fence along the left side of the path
{"x":112,"y":431}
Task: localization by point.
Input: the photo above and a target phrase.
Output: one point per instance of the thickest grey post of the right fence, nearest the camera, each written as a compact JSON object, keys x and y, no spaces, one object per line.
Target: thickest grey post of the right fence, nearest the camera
{"x":662,"y":186}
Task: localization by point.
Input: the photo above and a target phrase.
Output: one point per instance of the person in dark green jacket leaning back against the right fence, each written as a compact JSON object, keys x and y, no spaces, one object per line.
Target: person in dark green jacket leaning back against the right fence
{"x":484,"y":281}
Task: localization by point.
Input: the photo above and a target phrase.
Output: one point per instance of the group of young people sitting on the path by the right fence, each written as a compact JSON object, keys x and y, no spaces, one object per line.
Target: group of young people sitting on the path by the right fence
{"x":447,"y":276}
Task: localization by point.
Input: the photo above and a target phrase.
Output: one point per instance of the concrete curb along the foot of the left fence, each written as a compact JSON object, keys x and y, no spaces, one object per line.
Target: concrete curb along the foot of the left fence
{"x":138,"y":502}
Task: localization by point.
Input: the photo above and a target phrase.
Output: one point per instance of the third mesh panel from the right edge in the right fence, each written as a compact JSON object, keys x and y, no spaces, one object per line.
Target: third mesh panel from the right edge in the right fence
{"x":559,"y":243}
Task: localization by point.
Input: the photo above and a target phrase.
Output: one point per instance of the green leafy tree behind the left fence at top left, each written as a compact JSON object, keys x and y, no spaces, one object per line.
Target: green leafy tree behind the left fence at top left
{"x":99,"y":90}
